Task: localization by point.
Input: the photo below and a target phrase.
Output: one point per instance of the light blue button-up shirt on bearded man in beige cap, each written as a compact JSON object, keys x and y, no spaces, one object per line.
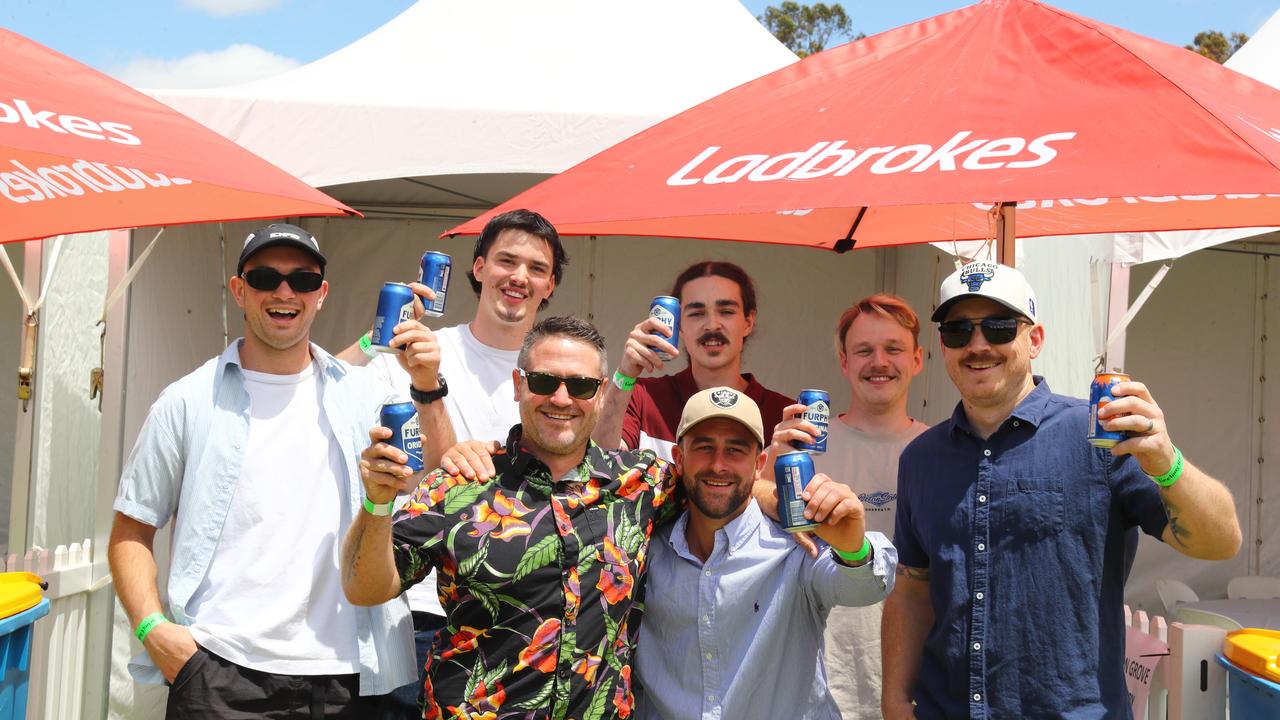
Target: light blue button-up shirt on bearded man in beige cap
{"x":740,"y":636}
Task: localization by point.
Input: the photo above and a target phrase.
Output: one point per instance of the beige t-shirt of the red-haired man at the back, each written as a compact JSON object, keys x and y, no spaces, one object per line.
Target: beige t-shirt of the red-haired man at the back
{"x":868,"y":464}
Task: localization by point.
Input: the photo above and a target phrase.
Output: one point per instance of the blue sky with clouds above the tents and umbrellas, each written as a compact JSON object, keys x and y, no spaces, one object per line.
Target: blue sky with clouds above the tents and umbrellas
{"x":209,"y":43}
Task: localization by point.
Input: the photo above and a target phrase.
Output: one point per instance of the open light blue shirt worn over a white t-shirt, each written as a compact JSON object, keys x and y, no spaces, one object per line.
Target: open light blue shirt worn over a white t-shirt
{"x":186,"y":464}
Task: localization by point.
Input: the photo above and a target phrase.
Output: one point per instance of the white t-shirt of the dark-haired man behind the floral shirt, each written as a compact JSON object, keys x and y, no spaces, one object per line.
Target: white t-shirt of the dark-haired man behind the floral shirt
{"x":482,"y":405}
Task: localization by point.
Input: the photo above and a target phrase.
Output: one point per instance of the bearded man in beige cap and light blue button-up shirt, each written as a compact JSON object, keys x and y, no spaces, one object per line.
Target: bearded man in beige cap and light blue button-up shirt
{"x":735,"y":608}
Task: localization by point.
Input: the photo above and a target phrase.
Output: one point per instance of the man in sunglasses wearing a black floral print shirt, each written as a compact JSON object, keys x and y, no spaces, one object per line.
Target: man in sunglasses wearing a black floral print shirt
{"x":540,"y":567}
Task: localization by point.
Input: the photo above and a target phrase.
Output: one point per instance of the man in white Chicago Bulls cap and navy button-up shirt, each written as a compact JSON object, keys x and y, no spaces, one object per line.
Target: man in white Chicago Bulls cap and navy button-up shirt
{"x":1012,"y":527}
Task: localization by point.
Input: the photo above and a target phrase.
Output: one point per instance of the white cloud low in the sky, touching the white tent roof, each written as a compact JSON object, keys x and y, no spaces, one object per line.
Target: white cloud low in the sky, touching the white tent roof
{"x":232,"y":66}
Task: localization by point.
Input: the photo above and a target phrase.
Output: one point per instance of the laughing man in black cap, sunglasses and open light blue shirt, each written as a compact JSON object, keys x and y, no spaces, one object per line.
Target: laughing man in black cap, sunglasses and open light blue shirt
{"x":257,"y":619}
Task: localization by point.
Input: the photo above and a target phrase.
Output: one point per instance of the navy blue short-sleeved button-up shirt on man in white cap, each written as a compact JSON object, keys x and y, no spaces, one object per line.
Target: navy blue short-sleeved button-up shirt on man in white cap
{"x":1025,"y":539}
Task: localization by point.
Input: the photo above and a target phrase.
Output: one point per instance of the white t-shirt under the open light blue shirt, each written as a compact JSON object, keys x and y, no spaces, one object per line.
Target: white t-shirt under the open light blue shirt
{"x":273,"y":599}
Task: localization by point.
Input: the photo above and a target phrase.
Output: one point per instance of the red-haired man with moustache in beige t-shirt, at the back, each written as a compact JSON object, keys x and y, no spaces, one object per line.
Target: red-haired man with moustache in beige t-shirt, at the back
{"x":877,"y":343}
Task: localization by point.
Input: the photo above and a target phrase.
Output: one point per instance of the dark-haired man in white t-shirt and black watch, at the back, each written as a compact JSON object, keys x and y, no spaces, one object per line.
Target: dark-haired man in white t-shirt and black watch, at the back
{"x":460,"y":379}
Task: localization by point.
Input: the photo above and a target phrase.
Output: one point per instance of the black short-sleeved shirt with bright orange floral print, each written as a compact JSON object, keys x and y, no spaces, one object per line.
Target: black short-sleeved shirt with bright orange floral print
{"x":541,"y":581}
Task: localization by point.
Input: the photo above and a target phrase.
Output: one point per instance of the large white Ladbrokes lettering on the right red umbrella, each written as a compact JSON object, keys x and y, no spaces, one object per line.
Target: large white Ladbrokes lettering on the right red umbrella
{"x":831,"y":158}
